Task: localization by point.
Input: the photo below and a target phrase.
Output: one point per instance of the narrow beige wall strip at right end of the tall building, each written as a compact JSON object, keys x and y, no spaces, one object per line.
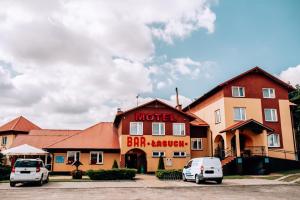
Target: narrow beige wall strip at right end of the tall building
{"x":287,"y":132}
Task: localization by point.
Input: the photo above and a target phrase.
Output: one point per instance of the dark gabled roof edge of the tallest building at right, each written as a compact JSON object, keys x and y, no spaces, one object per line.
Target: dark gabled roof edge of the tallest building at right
{"x":220,"y":86}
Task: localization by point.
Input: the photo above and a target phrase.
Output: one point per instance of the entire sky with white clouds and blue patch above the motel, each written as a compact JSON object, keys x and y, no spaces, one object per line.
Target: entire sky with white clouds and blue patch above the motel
{"x":70,"y":64}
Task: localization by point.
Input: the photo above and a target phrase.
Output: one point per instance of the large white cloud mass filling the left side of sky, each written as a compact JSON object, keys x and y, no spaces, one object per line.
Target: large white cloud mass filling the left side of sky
{"x":71,"y":63}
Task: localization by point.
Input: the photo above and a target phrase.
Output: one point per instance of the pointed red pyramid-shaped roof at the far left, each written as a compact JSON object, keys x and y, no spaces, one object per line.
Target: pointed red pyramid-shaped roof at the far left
{"x":19,"y":124}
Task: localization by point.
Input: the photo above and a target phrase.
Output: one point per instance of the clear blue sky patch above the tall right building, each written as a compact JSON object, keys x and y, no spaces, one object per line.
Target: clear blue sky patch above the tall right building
{"x":247,"y":33}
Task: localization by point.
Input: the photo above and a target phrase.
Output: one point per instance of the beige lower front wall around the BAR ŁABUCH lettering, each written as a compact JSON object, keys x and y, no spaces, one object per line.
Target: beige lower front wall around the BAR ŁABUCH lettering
{"x":152,"y":163}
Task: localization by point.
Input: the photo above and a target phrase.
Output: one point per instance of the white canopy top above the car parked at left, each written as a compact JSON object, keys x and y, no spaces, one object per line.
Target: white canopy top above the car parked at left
{"x":24,"y":149}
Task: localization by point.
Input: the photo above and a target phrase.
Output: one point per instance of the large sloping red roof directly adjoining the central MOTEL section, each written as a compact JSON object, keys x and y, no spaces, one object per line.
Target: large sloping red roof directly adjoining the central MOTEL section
{"x":100,"y":136}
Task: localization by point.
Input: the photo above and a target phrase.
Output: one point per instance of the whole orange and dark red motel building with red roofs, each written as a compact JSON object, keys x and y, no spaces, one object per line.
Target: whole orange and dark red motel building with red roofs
{"x":246,"y":121}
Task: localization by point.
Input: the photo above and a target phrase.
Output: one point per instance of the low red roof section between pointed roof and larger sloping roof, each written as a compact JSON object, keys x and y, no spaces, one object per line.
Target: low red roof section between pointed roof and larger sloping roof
{"x":43,"y":138}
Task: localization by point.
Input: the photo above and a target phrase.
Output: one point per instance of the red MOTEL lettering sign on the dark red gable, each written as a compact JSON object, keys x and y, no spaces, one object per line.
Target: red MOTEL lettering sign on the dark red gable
{"x":165,"y":117}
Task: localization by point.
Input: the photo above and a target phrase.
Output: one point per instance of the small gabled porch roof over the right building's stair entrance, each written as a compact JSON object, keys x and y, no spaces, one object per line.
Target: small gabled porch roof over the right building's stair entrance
{"x":248,"y":124}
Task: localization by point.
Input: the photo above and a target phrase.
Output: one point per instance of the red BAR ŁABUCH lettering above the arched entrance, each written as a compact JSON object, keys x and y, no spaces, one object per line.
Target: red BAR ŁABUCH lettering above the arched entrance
{"x":141,"y":142}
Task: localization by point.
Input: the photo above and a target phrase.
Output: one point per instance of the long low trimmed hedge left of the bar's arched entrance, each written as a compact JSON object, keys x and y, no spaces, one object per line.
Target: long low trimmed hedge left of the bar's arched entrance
{"x":112,"y":174}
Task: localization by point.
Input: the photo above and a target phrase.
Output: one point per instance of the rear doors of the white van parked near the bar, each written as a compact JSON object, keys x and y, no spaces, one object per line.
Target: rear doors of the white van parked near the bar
{"x":212,"y":168}
